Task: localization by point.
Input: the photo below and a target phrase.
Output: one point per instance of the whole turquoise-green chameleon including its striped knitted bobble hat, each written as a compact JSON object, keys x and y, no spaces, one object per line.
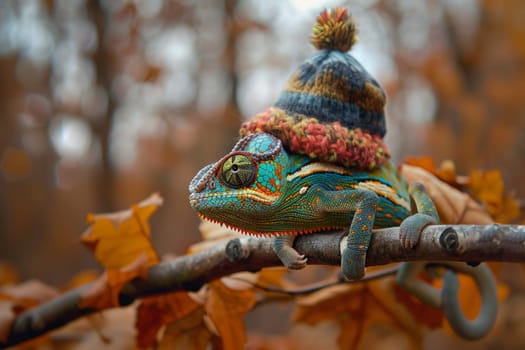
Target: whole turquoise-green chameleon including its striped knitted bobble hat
{"x":297,"y":171}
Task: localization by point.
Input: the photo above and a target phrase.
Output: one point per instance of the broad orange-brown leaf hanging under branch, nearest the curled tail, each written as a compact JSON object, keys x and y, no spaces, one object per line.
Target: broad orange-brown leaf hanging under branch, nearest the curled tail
{"x":356,"y":308}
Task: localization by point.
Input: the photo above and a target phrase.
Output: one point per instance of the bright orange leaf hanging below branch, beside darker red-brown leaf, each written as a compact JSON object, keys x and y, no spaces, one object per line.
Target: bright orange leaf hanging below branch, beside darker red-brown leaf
{"x":226,"y":308}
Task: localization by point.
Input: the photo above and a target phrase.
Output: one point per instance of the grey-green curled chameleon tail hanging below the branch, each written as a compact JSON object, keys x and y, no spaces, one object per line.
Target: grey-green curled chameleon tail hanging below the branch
{"x":447,"y":298}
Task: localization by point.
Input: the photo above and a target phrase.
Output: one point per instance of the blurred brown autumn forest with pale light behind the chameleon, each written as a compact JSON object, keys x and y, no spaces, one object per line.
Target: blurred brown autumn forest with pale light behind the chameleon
{"x":104,"y":102}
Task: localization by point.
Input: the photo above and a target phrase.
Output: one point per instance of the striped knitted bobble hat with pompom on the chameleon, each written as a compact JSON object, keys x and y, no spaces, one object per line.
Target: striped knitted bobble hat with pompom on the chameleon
{"x":332,"y":108}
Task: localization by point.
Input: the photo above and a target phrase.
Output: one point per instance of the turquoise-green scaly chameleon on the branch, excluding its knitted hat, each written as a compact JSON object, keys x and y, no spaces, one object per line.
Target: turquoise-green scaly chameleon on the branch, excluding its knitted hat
{"x":261,"y":189}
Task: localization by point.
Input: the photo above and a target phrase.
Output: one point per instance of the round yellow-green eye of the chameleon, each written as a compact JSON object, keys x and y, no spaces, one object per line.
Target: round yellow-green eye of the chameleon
{"x":238,"y":171}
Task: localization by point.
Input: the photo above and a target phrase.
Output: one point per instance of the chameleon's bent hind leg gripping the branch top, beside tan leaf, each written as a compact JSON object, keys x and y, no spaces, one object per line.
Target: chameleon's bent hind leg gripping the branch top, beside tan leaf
{"x":413,"y":225}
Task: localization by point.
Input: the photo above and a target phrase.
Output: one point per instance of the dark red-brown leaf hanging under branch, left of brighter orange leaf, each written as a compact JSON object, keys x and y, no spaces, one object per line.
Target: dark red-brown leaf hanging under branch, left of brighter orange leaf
{"x":159,"y":311}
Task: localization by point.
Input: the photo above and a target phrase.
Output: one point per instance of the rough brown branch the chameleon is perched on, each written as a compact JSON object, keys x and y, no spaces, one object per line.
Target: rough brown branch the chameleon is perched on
{"x":469,"y":243}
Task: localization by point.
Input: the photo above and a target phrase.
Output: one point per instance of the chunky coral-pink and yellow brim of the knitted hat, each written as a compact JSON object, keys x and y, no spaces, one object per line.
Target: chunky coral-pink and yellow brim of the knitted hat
{"x":329,"y":142}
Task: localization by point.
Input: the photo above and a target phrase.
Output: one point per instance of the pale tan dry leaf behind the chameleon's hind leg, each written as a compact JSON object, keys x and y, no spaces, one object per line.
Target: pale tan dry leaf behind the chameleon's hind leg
{"x":454,"y":206}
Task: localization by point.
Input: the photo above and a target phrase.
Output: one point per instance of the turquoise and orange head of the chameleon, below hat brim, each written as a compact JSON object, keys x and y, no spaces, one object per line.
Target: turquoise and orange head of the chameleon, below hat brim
{"x":243,"y":185}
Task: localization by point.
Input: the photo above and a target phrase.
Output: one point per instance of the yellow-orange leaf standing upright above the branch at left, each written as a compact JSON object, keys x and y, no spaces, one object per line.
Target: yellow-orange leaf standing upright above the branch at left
{"x":117,"y":239}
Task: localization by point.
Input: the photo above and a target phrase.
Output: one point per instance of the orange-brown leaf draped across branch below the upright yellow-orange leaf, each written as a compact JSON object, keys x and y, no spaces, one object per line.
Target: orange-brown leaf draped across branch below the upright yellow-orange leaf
{"x":104,"y":292}
